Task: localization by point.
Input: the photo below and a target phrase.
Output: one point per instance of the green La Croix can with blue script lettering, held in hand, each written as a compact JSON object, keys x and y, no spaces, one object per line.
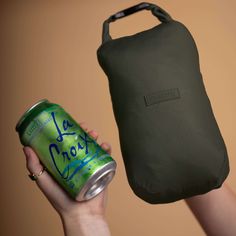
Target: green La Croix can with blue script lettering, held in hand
{"x":74,"y":159}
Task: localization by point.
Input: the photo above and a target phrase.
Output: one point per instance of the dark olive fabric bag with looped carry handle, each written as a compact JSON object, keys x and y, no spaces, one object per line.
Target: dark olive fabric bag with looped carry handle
{"x":170,"y":141}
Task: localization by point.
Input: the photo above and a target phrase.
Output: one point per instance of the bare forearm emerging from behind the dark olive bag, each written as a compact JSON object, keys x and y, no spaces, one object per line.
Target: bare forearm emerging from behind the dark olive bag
{"x":215,"y":211}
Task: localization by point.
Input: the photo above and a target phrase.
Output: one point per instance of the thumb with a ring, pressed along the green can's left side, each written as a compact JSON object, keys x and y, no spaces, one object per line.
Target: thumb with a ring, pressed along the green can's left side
{"x":51,"y":189}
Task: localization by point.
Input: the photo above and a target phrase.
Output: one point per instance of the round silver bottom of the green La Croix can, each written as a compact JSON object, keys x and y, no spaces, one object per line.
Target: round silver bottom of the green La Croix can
{"x":97,"y":182}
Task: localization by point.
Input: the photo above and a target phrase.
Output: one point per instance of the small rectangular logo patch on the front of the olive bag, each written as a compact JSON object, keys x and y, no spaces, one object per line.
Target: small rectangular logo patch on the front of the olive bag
{"x":161,"y":96}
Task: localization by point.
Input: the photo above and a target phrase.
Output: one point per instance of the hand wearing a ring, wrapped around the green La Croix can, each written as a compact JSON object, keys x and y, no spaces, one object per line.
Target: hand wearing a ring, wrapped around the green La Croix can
{"x":72,"y":213}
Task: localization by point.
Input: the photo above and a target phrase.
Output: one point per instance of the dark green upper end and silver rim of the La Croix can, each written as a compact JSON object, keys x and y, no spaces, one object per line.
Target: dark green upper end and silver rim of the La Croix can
{"x":36,"y":107}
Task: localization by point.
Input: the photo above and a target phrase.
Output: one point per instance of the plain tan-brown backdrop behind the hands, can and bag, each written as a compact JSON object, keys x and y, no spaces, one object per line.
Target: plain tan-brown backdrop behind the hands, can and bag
{"x":48,"y":50}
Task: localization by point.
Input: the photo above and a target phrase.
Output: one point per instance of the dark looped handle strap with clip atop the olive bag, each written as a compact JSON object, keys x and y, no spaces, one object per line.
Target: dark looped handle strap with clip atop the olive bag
{"x":162,"y":16}
